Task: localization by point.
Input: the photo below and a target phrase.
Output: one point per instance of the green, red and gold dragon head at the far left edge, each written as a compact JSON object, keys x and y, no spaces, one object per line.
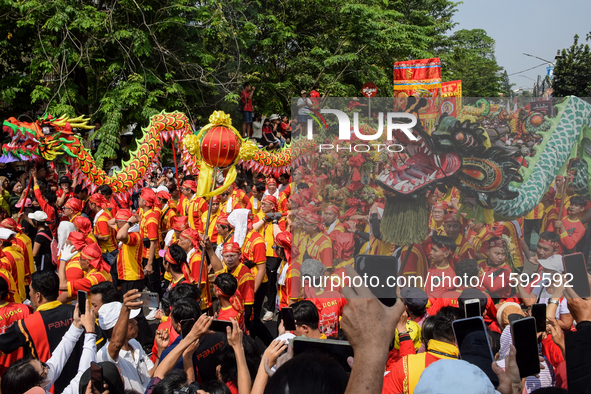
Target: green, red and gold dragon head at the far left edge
{"x":48,"y":137}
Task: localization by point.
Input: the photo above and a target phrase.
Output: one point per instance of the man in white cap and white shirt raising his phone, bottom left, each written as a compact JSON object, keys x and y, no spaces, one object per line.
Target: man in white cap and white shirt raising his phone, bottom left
{"x":117,"y":320}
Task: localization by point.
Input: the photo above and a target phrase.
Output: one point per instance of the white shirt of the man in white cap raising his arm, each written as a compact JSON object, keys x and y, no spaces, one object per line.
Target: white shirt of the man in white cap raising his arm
{"x":134,"y":368}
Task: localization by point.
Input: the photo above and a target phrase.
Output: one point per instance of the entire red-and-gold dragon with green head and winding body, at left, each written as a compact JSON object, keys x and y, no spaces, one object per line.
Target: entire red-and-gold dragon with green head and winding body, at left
{"x":52,"y":138}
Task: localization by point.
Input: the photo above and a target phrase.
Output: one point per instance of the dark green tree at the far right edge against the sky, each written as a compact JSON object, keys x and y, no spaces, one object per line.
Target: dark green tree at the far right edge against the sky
{"x":572,"y":73}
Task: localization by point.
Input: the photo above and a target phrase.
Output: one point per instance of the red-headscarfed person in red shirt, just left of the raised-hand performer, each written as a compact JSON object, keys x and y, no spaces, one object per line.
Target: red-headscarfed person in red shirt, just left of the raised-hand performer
{"x":189,"y":241}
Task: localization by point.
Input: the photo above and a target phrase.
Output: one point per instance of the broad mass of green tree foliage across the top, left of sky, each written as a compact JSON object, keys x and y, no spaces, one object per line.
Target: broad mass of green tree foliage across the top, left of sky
{"x":122,"y":61}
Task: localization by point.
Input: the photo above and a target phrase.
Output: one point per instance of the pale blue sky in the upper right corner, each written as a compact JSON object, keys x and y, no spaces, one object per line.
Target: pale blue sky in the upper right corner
{"x":537,"y":27}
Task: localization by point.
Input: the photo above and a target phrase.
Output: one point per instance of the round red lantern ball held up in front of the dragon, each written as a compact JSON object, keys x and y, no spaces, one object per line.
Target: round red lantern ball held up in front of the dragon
{"x":220,"y":147}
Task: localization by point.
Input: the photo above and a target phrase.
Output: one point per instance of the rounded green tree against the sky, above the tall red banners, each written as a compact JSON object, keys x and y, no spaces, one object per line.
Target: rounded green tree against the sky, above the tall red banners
{"x":470,"y":56}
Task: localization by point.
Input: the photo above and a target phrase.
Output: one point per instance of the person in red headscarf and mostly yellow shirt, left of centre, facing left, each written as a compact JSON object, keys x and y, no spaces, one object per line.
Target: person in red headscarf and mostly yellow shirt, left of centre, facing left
{"x":130,"y":273}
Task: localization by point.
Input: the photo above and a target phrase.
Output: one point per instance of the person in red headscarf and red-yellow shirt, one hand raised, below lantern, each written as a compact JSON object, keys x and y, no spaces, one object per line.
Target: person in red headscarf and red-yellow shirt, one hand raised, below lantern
{"x":232,"y":263}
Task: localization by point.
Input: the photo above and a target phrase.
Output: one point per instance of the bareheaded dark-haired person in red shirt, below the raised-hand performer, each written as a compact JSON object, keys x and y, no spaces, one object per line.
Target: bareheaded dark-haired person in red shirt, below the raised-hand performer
{"x":231,"y":303}
